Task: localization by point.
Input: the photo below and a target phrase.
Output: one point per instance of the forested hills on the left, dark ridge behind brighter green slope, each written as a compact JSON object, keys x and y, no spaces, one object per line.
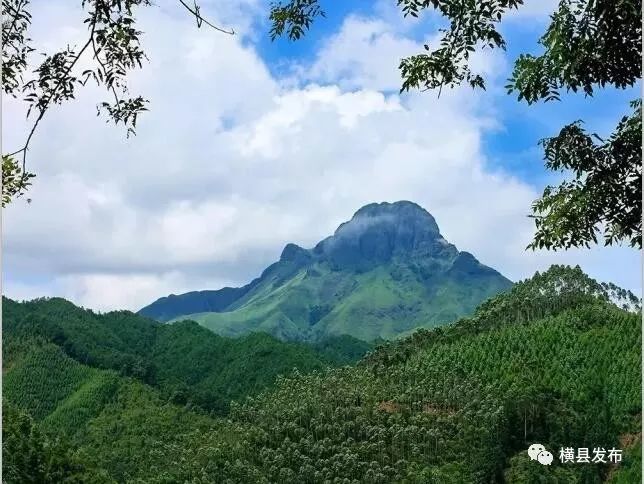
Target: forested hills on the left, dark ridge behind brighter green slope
{"x":114,"y":397}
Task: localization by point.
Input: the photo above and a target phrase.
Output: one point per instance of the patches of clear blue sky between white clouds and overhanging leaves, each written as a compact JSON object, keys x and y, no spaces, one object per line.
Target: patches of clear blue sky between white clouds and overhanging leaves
{"x":514,"y":147}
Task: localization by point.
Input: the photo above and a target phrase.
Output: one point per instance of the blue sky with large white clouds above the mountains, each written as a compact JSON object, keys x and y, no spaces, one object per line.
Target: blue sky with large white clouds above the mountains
{"x":251,"y":144}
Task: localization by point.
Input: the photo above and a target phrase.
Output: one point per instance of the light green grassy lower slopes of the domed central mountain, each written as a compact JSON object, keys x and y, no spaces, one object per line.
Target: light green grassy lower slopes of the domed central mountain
{"x":366,"y":306}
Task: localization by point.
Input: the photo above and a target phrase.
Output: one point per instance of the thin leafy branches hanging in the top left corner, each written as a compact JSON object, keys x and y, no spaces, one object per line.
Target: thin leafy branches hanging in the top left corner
{"x":112,"y":45}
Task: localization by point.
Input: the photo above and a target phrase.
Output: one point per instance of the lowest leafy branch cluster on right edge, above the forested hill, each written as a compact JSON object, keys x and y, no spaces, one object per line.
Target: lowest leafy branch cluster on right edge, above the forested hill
{"x":605,"y":192}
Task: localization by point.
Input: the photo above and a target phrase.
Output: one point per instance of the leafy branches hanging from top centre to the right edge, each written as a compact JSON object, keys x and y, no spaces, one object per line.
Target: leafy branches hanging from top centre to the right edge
{"x":589,"y":44}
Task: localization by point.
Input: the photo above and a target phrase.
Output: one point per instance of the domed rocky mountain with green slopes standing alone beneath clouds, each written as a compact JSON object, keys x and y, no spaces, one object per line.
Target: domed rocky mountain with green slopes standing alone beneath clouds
{"x":382,"y":274}
